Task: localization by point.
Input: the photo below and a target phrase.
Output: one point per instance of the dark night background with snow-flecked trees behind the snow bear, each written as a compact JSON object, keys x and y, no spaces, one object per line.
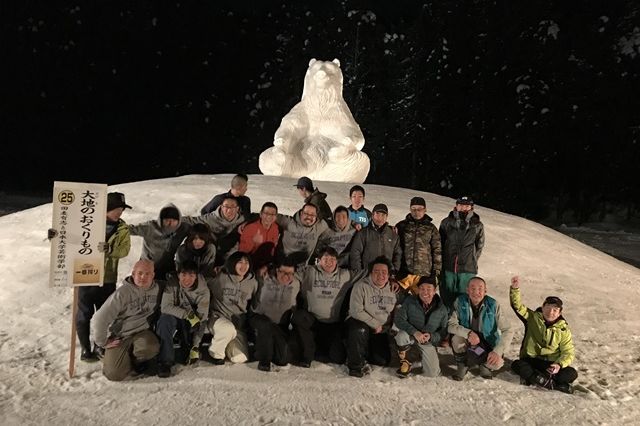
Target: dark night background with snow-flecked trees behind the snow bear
{"x":529,"y":107}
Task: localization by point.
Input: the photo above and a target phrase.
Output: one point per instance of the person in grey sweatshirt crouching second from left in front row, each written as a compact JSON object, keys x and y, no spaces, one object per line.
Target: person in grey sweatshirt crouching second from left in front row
{"x":184,"y":308}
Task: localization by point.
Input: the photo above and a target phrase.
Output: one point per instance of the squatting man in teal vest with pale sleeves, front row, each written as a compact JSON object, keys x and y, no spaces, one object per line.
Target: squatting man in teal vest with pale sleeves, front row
{"x":480,"y":333}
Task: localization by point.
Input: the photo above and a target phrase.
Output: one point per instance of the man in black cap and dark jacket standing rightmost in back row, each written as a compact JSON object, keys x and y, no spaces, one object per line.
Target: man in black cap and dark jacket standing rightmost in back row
{"x":462,"y":237}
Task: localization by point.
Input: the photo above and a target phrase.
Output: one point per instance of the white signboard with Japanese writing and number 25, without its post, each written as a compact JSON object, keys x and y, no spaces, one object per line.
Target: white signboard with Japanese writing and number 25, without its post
{"x":79,"y":211}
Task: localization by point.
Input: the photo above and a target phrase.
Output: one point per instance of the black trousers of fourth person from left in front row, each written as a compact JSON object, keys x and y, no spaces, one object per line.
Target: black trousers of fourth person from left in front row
{"x":271,"y":340}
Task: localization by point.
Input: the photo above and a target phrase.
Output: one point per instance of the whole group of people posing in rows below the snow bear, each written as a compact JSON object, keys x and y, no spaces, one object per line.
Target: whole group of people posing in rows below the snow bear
{"x":340,"y":286}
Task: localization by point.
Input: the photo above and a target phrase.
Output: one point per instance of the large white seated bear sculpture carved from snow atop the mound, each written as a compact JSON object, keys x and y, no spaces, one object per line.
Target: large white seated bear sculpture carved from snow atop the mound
{"x":318,"y":138}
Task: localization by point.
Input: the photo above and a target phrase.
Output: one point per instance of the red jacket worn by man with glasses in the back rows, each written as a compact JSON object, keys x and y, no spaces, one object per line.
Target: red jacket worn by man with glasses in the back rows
{"x":259,"y":242}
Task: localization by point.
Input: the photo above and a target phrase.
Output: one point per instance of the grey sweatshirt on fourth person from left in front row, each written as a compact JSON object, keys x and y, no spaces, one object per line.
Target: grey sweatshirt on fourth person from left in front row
{"x":274,"y":300}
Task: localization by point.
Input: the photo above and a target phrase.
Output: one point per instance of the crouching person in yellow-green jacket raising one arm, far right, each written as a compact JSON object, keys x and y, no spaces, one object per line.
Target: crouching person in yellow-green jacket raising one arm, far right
{"x":547,"y":349}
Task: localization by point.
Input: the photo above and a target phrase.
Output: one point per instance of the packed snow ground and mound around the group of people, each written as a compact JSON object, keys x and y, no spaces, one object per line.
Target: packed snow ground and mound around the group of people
{"x":601,"y":297}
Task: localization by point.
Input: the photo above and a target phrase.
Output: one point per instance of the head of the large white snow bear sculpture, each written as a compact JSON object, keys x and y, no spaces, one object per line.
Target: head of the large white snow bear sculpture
{"x":323,"y":80}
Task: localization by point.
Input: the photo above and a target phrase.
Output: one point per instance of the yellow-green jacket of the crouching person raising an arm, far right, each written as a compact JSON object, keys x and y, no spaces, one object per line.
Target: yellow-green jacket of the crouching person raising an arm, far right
{"x":552,"y":342}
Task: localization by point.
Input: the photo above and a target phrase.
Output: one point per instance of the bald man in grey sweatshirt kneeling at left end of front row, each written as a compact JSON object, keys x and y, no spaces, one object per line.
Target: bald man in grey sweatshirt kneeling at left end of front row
{"x":121,"y":325}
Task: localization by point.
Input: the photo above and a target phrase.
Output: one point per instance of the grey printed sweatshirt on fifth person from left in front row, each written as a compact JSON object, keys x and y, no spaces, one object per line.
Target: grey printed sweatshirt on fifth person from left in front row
{"x":323,"y":293}
